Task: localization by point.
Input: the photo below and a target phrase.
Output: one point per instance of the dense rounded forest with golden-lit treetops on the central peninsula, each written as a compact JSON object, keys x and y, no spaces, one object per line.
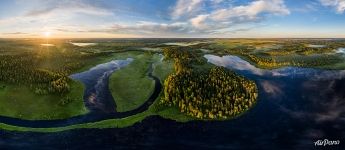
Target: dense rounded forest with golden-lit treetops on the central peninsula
{"x":208,"y":93}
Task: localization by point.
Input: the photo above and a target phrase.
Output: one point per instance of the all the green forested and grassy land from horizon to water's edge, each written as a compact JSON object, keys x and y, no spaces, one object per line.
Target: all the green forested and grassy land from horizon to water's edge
{"x":34,"y":82}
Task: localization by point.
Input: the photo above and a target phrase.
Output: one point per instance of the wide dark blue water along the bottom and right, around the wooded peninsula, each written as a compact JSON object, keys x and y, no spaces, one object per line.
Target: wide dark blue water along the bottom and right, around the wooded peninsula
{"x":295,"y":108}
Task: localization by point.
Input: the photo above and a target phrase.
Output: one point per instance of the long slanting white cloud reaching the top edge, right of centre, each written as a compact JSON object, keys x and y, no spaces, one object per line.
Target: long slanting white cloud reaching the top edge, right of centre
{"x":227,"y":17}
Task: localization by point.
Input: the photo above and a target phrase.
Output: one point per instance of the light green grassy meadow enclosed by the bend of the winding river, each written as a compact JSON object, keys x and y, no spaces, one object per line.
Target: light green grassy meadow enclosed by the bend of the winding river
{"x":130,"y":86}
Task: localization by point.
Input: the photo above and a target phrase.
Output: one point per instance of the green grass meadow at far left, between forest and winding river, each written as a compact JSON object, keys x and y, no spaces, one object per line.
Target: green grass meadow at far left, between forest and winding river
{"x":20,"y":102}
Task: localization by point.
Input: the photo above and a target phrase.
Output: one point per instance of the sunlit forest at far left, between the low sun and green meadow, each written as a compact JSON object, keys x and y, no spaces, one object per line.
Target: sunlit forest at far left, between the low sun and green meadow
{"x":44,"y":71}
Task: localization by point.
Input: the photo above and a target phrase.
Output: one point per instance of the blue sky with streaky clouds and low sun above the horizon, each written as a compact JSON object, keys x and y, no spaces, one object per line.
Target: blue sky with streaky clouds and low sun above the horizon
{"x":172,"y":18}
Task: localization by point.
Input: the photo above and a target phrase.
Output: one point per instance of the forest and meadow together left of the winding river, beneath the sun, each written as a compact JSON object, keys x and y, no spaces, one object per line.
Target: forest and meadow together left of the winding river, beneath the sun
{"x":34,"y":79}
